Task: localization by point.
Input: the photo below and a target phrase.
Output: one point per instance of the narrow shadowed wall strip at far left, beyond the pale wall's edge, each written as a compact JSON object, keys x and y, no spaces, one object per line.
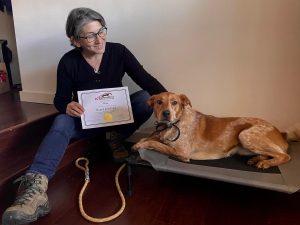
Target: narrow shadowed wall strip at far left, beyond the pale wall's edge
{"x":7,"y":33}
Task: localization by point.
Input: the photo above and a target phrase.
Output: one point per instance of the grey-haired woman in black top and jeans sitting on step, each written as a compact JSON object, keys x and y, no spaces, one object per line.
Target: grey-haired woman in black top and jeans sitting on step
{"x":94,"y":63}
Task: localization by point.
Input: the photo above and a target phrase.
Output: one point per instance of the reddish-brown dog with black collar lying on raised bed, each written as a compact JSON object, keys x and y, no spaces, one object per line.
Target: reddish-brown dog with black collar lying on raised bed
{"x":188,"y":134}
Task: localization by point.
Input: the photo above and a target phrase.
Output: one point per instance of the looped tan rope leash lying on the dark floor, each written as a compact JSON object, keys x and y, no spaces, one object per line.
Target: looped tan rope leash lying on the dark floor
{"x":87,"y":180}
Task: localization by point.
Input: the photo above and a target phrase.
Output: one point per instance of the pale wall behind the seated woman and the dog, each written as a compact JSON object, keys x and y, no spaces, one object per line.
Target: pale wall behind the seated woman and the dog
{"x":231,"y":57}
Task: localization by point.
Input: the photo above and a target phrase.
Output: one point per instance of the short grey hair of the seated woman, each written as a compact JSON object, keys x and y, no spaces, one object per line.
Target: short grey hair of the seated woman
{"x":79,"y":17}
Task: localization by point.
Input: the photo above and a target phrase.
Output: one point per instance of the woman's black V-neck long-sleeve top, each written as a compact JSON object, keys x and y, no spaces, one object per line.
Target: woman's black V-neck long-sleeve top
{"x":75,"y":74}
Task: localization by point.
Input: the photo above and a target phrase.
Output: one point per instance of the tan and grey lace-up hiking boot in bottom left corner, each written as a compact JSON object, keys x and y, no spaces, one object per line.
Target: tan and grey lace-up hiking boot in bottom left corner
{"x":31,"y":201}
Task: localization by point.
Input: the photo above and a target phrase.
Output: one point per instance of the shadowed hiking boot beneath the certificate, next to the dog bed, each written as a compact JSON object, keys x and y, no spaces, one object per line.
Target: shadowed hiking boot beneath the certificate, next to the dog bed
{"x":115,"y":143}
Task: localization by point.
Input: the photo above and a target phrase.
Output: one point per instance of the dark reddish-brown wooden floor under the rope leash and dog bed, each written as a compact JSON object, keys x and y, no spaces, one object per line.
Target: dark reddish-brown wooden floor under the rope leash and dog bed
{"x":159,"y":198}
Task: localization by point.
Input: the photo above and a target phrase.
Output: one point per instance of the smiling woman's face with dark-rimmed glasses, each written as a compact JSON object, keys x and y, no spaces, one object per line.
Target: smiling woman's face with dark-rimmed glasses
{"x":92,"y":38}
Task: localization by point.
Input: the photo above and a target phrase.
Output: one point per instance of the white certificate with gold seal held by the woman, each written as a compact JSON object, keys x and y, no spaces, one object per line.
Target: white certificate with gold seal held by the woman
{"x":105,"y":107}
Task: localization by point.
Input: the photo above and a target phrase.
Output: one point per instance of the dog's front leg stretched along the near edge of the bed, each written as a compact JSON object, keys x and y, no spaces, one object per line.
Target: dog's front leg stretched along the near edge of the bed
{"x":159,"y":147}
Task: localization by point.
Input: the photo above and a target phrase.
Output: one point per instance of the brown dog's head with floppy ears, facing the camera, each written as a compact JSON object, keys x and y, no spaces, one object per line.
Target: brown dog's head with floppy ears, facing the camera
{"x":168,"y":106}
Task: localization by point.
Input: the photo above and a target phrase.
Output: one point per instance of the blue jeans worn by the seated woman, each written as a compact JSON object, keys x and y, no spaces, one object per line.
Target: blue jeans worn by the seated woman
{"x":65,"y":128}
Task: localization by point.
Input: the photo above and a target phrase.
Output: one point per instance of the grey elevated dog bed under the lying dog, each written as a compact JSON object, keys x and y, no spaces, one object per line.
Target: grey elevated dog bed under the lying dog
{"x":284,"y":178}
